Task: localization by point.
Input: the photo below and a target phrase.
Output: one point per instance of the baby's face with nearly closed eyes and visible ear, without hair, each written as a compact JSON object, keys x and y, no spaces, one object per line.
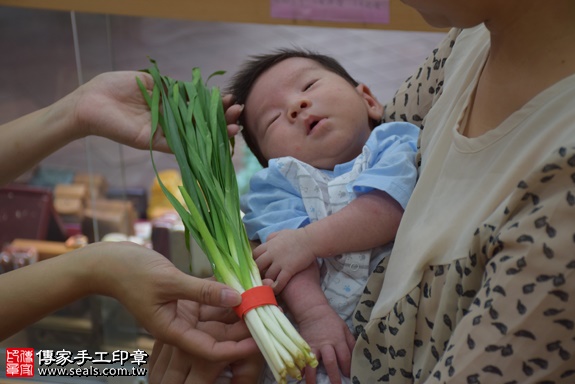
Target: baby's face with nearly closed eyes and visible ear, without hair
{"x":297,"y":108}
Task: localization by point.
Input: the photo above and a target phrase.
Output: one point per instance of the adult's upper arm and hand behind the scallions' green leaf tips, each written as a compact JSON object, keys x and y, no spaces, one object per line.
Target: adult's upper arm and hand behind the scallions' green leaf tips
{"x":110,"y":105}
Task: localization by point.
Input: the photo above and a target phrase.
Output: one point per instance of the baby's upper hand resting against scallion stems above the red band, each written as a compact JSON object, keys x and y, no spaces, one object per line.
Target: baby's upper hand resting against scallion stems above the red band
{"x":284,"y":254}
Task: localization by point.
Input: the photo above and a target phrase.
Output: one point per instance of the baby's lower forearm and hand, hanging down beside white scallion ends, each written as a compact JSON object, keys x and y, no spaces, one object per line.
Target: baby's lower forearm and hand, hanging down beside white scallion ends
{"x":323,"y":329}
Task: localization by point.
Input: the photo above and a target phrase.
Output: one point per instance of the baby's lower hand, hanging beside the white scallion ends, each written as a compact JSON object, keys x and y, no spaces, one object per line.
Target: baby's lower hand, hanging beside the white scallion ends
{"x":331,"y":341}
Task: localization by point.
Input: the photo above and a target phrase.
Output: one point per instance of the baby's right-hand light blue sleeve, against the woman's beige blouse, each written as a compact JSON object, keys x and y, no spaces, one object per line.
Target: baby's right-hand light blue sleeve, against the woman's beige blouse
{"x":391,"y":165}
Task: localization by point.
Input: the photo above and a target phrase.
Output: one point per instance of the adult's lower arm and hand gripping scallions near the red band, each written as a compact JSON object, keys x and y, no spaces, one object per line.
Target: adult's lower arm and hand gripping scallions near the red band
{"x":163,"y":299}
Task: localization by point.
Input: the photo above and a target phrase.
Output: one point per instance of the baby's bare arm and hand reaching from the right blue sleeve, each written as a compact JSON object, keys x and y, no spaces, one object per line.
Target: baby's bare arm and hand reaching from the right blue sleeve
{"x":369,"y":221}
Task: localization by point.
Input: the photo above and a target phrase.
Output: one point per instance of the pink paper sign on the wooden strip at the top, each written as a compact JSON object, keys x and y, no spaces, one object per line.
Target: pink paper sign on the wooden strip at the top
{"x":358,"y":11}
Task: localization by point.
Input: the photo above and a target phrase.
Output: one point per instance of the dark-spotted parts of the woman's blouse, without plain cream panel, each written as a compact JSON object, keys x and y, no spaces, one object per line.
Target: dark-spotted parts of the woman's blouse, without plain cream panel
{"x":504,"y":312}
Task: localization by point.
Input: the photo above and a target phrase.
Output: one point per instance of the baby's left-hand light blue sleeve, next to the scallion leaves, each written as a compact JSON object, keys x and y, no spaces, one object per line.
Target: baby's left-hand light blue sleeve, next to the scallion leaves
{"x":271,"y":204}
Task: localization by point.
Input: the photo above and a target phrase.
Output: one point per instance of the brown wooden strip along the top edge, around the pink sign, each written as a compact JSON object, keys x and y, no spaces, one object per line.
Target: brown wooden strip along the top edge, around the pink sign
{"x":402,"y":17}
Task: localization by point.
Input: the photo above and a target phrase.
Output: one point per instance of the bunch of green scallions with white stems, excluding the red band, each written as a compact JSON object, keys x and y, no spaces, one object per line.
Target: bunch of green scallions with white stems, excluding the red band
{"x":192,"y":119}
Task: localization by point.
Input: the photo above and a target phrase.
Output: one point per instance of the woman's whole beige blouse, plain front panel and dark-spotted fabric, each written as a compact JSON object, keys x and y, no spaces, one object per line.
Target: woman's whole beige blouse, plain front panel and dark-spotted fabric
{"x":480,"y":286}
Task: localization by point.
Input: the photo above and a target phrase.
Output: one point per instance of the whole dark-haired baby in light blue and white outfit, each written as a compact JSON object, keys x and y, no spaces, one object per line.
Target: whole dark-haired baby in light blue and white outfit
{"x":327,"y":205}
